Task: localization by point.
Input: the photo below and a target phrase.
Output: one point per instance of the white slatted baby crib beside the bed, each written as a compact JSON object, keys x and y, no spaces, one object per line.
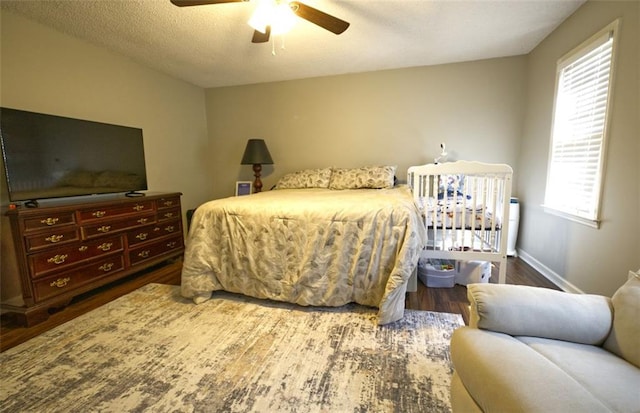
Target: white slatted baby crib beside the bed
{"x":456,"y":230}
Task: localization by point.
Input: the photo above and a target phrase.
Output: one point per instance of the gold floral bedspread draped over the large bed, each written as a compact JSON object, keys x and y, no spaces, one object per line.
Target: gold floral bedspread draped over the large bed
{"x":313,"y":247}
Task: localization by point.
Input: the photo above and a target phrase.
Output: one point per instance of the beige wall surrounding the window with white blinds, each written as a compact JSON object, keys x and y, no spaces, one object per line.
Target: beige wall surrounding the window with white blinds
{"x":577,"y":256}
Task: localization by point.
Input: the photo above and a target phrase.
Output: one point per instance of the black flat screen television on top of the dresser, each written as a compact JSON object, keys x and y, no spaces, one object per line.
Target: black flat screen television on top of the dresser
{"x":47,"y":156}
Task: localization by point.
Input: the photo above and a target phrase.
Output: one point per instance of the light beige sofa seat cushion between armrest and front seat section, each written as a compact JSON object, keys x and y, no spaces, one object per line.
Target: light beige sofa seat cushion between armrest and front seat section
{"x":603,"y":374}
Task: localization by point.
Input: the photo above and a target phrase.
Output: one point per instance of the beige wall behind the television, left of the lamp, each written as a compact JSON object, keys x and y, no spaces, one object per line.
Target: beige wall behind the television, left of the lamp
{"x":45,"y":71}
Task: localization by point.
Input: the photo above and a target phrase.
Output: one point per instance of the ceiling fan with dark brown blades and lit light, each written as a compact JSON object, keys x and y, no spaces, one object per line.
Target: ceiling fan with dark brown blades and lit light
{"x":277,"y":16}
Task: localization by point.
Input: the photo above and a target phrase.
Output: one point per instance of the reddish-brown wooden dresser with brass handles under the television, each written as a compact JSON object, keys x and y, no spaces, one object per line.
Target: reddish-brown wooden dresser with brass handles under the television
{"x":68,"y":249}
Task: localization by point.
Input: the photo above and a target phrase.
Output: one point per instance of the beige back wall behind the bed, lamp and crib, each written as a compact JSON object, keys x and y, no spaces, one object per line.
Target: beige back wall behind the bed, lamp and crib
{"x":396,"y":117}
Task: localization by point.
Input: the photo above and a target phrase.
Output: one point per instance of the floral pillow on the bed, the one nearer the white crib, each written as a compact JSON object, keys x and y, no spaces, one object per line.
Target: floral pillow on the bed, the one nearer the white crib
{"x":376,"y":177}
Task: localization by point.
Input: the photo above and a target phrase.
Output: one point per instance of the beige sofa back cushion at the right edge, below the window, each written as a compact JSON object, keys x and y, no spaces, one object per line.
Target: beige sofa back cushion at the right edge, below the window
{"x":624,"y":339}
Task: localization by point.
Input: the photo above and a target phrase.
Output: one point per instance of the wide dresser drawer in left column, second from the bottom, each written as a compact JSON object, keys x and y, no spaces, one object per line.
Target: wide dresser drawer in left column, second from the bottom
{"x":43,"y":263}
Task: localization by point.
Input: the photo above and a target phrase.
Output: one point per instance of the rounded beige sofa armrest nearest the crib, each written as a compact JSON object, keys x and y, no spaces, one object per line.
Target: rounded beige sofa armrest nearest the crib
{"x":520,"y":310}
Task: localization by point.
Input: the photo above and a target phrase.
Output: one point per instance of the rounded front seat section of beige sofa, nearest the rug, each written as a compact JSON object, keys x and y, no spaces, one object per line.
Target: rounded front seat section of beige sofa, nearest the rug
{"x":504,"y":375}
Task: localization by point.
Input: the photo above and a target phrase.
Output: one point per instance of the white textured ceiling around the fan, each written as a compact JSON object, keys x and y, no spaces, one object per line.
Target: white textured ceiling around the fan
{"x":210,"y":46}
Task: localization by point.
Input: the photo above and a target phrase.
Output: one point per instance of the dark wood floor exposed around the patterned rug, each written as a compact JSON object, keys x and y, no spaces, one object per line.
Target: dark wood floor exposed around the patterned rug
{"x":450,"y":300}
